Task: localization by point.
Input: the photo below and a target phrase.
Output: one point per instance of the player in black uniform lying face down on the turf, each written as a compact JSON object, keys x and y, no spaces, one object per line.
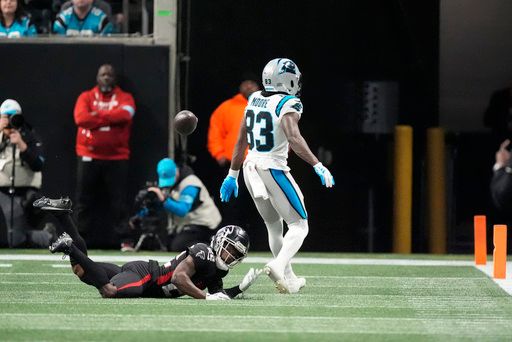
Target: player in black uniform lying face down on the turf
{"x":197,"y":268}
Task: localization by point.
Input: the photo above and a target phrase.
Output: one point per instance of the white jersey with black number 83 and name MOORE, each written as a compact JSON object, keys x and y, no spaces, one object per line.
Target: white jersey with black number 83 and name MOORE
{"x":268,"y":145}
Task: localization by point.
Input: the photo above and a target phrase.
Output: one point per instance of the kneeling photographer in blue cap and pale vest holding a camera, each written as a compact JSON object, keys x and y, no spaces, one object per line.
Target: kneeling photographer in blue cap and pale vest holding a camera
{"x":192,"y":214}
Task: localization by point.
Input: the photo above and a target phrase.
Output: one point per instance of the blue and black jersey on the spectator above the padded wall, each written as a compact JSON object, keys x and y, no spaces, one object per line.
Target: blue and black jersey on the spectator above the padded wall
{"x":96,"y":22}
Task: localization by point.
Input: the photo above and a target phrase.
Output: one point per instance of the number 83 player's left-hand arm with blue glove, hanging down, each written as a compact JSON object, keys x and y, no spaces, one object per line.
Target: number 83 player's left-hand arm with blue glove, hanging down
{"x":230,"y":184}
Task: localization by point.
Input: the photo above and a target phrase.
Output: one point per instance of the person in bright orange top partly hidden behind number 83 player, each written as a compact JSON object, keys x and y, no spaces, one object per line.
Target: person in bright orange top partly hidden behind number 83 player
{"x":222,"y":136}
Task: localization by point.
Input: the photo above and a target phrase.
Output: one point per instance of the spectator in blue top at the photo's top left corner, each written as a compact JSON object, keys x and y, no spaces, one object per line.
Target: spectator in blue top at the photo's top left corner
{"x":14,"y":23}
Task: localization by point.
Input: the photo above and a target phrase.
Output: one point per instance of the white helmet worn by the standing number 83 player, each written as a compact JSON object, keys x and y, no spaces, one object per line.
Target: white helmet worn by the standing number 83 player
{"x":282,"y":75}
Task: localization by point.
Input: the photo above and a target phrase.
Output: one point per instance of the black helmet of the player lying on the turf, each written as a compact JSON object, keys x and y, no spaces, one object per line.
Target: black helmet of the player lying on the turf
{"x":230,"y":244}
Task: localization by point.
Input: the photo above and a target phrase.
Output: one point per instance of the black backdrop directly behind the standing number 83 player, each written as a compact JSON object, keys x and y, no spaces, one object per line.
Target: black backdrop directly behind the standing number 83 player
{"x":336,"y":43}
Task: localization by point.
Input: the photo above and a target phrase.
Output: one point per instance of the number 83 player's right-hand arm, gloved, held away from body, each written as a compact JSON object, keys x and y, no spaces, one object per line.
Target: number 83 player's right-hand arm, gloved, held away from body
{"x":290,"y":124}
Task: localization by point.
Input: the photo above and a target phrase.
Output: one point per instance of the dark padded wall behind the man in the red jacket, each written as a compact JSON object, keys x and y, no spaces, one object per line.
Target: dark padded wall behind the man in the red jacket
{"x":46,"y":80}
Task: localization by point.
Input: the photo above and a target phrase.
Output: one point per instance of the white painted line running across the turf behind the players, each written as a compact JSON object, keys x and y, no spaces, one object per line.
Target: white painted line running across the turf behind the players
{"x":505,"y":284}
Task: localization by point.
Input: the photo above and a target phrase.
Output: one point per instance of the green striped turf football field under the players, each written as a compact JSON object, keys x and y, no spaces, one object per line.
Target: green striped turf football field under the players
{"x":348,"y":297}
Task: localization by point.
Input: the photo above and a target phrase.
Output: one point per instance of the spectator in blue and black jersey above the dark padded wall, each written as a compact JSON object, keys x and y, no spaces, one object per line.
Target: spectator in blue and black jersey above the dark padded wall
{"x":83,"y":18}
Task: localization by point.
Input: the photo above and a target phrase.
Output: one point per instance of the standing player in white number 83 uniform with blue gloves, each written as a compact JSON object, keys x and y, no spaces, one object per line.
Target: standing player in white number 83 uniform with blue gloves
{"x":270,"y":128}
